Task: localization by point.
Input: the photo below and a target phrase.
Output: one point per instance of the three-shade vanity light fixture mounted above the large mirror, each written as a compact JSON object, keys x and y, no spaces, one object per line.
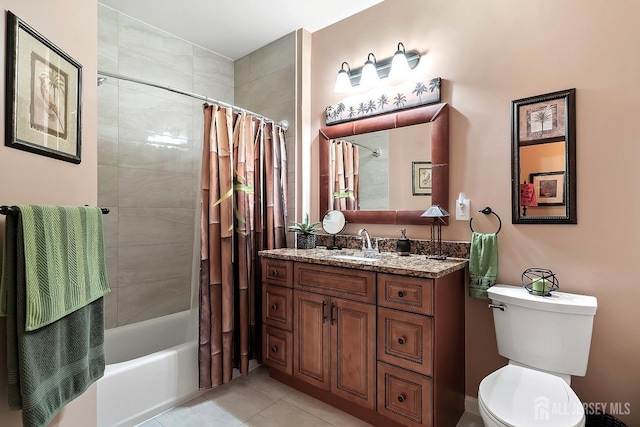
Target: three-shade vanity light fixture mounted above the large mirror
{"x":397,"y":67}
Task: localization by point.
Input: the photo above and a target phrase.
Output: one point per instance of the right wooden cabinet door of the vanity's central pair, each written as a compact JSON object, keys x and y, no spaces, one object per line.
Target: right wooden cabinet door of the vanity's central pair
{"x":353,"y":353}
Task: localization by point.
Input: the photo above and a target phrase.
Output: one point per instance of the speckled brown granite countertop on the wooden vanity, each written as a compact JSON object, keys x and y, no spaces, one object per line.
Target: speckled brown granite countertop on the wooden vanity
{"x":383,"y":262}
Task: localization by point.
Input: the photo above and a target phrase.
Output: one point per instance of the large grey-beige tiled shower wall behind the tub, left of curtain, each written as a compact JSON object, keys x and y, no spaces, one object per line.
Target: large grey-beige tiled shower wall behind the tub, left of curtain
{"x":150,"y":143}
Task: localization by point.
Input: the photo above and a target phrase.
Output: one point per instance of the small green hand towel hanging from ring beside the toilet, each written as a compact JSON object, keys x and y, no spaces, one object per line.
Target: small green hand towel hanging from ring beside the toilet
{"x":483,"y":264}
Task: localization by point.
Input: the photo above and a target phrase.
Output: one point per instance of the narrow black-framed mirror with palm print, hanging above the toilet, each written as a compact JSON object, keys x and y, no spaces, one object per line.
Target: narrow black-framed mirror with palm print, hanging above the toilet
{"x":543,"y":153}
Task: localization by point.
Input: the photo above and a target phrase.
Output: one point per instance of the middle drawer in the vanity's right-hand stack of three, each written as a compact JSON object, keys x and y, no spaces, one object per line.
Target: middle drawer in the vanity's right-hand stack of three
{"x":405,"y":340}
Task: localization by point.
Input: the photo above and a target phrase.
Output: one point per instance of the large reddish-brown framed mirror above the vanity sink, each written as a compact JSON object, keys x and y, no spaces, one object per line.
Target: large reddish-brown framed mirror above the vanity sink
{"x":437,"y":153}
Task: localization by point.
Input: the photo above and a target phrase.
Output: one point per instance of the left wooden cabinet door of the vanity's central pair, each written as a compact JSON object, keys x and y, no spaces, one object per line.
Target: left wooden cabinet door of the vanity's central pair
{"x":311,"y":353}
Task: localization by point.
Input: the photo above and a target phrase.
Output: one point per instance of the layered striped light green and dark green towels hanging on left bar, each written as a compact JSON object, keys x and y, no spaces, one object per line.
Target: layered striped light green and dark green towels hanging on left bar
{"x":53,"y":281}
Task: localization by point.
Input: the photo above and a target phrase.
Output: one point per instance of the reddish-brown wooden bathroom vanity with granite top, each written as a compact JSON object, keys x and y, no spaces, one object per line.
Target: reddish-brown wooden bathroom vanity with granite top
{"x":382,"y":340}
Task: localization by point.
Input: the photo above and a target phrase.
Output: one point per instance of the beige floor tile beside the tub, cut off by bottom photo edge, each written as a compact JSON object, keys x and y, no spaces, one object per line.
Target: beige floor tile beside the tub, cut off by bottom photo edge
{"x":197,"y":412}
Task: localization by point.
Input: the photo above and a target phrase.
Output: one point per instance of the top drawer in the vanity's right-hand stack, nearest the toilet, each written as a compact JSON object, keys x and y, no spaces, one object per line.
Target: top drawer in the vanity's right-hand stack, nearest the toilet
{"x":405,"y":293}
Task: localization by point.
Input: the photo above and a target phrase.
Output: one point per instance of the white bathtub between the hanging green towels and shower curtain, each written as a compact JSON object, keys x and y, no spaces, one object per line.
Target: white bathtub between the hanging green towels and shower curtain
{"x":151,"y":366}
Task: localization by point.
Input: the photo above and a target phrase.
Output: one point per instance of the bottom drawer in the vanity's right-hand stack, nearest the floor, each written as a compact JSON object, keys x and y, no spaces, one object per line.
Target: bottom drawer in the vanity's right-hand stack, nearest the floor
{"x":404,"y":396}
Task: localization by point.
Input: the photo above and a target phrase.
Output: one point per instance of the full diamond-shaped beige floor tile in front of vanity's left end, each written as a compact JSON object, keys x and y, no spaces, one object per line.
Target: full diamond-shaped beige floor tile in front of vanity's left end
{"x":240,"y":399}
